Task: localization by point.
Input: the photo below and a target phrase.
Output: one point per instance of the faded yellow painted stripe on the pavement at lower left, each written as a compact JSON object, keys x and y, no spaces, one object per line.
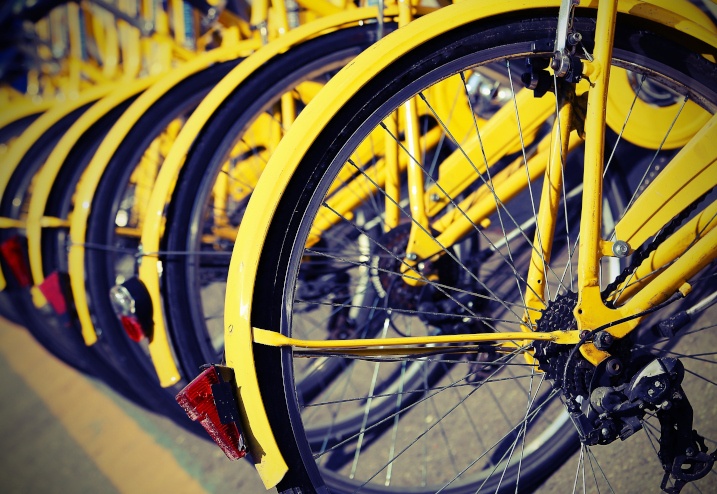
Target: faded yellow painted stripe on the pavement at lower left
{"x":130,"y":458}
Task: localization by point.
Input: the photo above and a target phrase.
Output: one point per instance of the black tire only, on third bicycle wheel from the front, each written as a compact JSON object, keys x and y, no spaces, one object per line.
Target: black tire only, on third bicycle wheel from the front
{"x":129,"y":360}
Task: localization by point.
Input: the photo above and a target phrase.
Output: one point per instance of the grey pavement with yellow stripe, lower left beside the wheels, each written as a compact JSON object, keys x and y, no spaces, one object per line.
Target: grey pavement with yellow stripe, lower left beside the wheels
{"x":62,"y":432}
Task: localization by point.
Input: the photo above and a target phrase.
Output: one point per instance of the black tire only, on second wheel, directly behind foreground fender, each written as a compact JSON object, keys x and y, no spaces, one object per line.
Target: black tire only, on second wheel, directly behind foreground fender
{"x":197,"y":339}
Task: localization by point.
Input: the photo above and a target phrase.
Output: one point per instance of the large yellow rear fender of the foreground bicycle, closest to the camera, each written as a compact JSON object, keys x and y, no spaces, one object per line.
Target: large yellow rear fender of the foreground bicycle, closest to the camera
{"x":238,"y":331}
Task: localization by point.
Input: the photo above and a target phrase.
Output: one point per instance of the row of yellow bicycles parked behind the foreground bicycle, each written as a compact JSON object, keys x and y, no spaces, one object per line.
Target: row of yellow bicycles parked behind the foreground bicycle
{"x":98,"y":182}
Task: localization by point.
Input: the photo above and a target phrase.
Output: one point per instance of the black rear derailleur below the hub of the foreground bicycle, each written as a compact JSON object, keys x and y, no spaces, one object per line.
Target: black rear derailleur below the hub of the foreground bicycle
{"x":611,"y":400}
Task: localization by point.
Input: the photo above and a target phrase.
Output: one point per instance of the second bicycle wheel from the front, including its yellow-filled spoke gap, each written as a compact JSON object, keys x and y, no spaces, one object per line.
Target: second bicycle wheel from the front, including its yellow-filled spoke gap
{"x":204,"y":213}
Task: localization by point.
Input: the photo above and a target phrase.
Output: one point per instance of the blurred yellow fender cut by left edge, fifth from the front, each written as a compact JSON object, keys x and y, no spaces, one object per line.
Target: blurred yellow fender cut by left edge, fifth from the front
{"x":42,"y":124}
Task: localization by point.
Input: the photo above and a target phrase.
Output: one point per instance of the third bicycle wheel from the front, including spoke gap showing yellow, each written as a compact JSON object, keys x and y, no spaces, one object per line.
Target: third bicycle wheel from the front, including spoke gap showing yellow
{"x":114,"y":224}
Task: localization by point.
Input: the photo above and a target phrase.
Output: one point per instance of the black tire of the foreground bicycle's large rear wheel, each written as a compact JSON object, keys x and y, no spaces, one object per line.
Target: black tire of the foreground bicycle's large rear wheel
{"x":446,"y":54}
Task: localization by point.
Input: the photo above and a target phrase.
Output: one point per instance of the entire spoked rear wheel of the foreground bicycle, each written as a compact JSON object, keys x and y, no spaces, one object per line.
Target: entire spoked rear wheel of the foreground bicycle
{"x":493,"y":423}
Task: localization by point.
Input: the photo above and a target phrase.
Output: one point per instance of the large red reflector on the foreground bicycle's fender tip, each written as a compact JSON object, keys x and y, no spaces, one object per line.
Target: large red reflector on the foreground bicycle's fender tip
{"x":200,"y":402}
